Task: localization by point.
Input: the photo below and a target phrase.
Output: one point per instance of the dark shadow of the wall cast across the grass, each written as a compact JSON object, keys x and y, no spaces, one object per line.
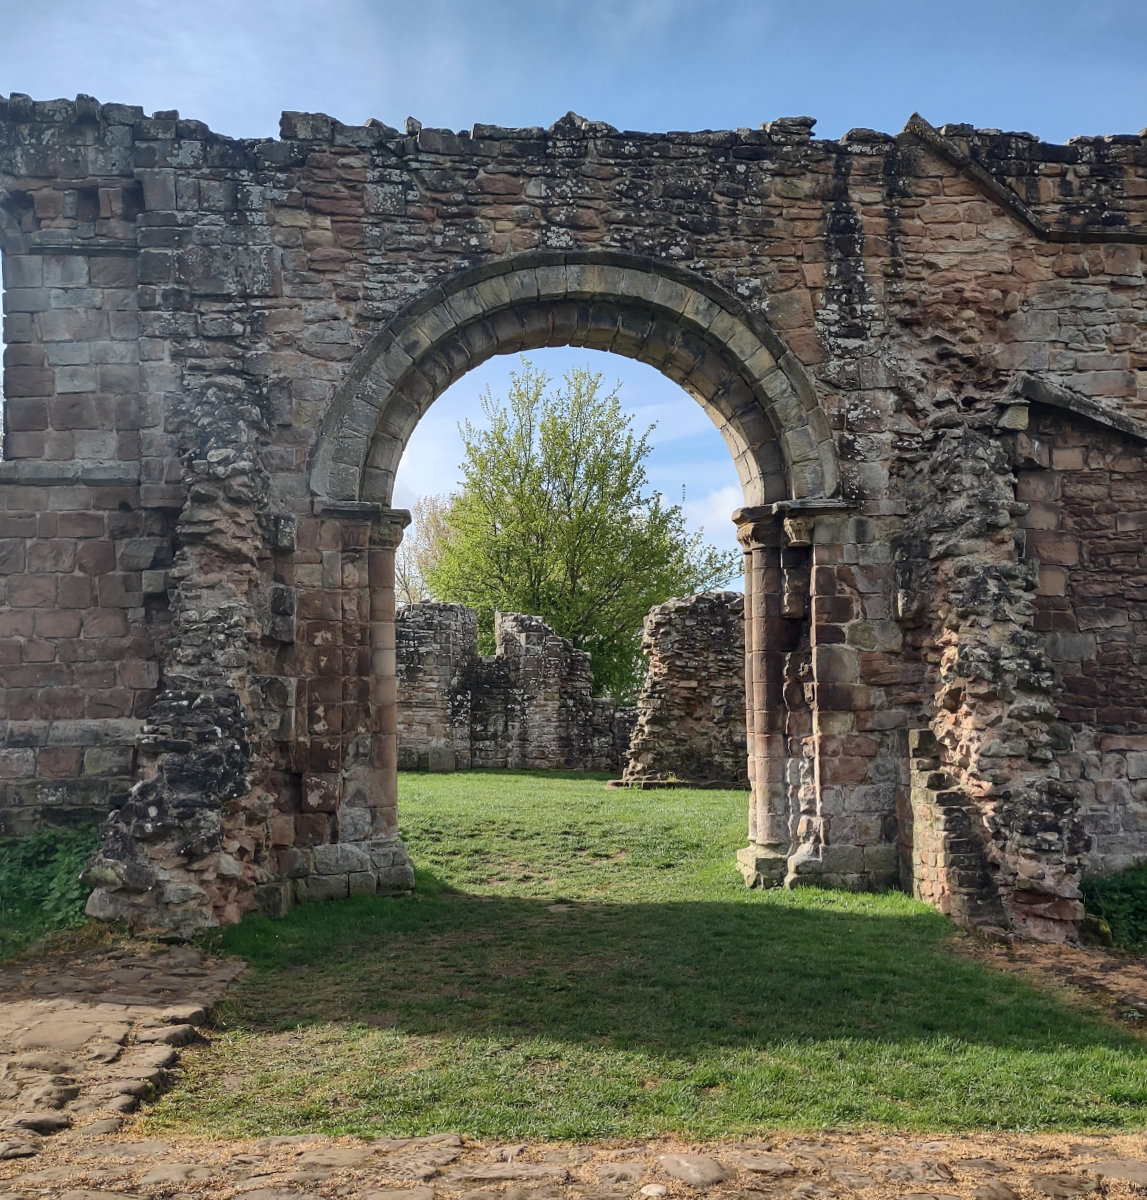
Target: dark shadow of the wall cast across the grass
{"x":676,"y":979}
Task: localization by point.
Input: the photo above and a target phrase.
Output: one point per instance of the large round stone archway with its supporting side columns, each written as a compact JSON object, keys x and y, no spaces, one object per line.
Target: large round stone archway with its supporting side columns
{"x":767,"y":412}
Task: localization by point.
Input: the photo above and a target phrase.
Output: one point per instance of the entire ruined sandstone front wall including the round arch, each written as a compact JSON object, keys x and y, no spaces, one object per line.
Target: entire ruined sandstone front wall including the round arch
{"x":927,"y":353}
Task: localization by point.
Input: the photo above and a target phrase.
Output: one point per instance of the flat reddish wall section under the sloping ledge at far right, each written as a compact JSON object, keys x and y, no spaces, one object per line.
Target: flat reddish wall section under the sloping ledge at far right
{"x":1085,"y":485}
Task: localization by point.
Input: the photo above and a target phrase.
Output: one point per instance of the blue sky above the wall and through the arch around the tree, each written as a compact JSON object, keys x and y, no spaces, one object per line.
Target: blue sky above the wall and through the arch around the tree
{"x":1054,"y":68}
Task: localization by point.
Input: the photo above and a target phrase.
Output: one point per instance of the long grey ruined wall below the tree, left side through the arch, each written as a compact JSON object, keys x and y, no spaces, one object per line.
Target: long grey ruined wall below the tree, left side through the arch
{"x":530,"y":705}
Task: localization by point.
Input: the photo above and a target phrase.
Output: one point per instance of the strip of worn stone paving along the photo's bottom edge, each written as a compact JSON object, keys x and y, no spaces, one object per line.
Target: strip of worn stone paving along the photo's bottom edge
{"x":83,"y":1165}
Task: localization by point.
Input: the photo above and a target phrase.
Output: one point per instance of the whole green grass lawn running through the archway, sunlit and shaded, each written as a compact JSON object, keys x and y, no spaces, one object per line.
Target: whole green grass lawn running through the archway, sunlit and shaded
{"x":581,"y":963}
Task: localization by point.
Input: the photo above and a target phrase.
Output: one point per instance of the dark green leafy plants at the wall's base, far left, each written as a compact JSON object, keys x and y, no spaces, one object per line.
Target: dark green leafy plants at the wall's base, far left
{"x":40,"y":889}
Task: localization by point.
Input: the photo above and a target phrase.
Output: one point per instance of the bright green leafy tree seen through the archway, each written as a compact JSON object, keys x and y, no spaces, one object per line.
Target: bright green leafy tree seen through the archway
{"x":555,"y":518}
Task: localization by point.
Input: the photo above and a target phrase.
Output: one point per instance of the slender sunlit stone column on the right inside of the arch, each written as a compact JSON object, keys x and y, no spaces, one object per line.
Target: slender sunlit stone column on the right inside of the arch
{"x":764,"y":862}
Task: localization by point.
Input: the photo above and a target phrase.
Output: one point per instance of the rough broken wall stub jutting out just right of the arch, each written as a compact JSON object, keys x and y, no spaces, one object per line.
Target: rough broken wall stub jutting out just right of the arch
{"x":996,"y":832}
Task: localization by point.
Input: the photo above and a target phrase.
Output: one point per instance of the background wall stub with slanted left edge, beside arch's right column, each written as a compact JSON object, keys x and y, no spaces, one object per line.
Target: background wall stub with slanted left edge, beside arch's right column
{"x":692,"y":710}
